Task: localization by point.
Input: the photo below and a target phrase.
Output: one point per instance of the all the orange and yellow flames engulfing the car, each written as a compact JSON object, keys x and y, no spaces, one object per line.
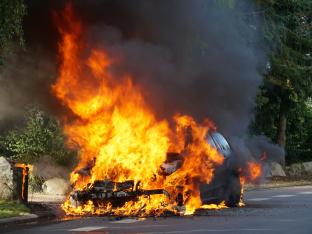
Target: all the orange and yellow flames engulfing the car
{"x":117,"y":133}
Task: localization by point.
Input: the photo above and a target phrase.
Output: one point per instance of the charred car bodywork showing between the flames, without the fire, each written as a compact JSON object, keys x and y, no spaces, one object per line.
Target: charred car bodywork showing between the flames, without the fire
{"x":225,"y":185}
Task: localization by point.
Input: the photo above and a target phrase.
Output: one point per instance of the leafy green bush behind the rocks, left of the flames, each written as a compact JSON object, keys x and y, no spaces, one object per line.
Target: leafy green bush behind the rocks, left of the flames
{"x":41,"y":136}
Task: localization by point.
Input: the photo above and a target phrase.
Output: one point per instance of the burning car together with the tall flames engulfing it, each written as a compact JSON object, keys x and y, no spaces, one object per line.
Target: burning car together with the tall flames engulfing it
{"x":131,"y":162}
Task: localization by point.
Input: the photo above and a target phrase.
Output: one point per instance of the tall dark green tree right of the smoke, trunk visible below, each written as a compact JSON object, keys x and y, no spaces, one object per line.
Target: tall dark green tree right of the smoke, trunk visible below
{"x":288,"y":80}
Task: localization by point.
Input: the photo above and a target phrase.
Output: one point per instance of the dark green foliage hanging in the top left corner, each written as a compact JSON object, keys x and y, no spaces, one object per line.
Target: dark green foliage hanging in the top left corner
{"x":12,"y":13}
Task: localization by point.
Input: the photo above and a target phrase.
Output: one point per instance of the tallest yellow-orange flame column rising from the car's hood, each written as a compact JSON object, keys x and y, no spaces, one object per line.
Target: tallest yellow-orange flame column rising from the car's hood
{"x":114,"y":128}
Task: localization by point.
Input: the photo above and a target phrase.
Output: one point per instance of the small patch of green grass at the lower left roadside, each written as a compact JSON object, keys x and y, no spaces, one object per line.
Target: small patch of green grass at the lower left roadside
{"x":11,"y":209}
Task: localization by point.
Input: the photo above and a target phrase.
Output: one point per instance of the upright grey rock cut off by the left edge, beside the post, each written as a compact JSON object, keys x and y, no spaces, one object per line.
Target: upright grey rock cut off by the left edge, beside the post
{"x":6,"y":179}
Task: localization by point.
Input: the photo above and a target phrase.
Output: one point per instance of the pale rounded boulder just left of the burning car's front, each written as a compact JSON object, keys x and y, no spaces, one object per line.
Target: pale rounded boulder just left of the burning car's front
{"x":56,"y":186}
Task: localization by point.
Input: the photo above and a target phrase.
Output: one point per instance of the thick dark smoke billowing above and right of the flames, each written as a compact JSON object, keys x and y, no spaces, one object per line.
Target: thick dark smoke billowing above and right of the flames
{"x":194,"y":57}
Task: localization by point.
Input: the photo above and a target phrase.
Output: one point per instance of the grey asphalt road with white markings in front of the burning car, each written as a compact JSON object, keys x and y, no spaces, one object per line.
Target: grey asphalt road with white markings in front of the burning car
{"x":281,"y":210}
